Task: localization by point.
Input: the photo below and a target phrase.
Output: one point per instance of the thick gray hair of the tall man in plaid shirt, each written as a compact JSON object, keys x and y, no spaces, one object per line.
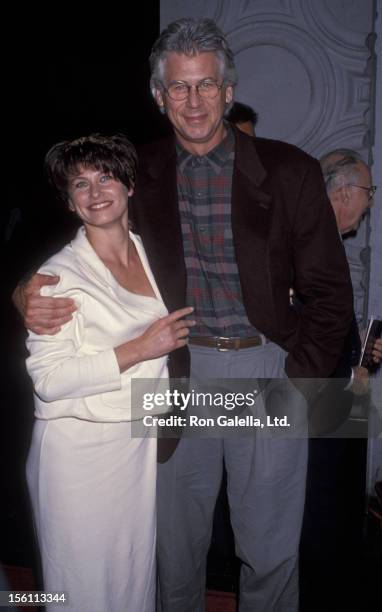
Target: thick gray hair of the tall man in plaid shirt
{"x":190,"y":36}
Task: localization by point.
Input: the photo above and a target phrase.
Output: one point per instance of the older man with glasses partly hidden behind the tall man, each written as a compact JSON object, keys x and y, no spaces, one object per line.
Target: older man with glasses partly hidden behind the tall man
{"x":333,"y":524}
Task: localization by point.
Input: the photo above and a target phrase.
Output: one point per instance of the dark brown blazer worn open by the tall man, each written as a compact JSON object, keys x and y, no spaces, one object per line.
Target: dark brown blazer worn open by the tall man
{"x":284,"y":234}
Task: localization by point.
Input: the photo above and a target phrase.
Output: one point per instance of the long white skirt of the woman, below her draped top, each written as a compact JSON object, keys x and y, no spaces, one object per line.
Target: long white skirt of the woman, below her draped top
{"x":93,"y":495}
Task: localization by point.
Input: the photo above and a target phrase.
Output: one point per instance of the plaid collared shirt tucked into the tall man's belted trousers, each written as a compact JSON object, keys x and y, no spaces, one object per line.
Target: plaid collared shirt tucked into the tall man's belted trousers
{"x":213,"y":286}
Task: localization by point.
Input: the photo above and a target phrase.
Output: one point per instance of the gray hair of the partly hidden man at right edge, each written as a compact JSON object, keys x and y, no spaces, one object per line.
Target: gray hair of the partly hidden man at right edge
{"x":338,"y":165}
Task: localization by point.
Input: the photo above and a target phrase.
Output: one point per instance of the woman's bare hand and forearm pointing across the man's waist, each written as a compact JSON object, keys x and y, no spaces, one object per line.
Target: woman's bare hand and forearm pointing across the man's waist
{"x":162,"y":337}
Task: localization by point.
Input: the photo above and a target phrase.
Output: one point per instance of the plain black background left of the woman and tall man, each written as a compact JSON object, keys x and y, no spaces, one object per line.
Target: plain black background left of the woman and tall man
{"x":64,"y":76}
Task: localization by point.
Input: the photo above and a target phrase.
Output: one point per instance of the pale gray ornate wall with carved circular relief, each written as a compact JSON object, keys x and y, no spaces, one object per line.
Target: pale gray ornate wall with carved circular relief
{"x":307,"y":67}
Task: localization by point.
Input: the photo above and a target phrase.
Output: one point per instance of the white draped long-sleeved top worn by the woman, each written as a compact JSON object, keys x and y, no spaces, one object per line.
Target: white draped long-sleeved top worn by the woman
{"x":75,"y":372}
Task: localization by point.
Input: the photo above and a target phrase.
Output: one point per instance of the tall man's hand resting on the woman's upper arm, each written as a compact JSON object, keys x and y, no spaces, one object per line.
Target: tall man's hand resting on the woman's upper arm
{"x":42,"y":315}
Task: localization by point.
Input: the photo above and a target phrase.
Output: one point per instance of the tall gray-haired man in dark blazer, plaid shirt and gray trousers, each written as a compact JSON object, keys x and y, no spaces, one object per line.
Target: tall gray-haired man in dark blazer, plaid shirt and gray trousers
{"x":229,"y":223}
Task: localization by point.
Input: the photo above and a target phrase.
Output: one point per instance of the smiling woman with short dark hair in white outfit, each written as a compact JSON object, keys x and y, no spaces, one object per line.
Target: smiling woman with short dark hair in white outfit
{"x":91,"y":483}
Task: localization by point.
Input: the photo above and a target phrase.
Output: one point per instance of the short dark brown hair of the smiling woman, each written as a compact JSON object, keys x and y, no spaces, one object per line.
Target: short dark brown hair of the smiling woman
{"x":113,"y":154}
